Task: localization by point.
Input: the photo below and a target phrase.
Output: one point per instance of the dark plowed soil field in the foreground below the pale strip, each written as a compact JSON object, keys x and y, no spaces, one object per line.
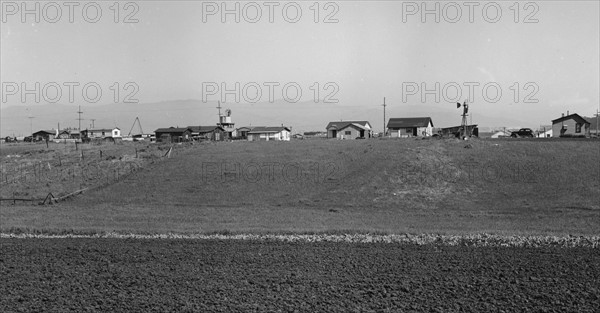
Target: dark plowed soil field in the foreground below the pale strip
{"x":135,"y":275}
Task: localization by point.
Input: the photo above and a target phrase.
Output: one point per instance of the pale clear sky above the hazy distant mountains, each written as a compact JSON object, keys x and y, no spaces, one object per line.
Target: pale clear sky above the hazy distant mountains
{"x":536,"y":59}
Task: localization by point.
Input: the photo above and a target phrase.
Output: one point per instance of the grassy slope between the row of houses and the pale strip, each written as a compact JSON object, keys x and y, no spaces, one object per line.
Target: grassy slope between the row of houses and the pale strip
{"x":388,"y":186}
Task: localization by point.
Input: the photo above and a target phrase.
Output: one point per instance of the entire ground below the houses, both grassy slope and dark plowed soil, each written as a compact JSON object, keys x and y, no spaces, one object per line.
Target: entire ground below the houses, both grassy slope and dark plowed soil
{"x":511,"y":188}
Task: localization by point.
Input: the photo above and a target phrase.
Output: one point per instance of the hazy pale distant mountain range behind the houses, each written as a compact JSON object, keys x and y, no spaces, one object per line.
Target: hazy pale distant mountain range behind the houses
{"x":301,"y":116}
